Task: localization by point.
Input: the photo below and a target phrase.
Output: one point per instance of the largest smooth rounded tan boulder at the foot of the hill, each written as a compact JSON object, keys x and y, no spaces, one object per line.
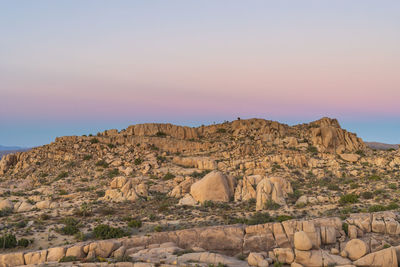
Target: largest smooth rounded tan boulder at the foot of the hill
{"x":215,"y":186}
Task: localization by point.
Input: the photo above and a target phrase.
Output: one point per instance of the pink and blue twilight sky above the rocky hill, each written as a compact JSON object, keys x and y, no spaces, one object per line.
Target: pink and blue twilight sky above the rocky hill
{"x":71,"y":67}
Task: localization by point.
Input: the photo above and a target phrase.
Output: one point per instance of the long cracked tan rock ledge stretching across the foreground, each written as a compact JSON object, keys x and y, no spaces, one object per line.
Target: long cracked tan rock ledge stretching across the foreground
{"x":360,"y":240}
